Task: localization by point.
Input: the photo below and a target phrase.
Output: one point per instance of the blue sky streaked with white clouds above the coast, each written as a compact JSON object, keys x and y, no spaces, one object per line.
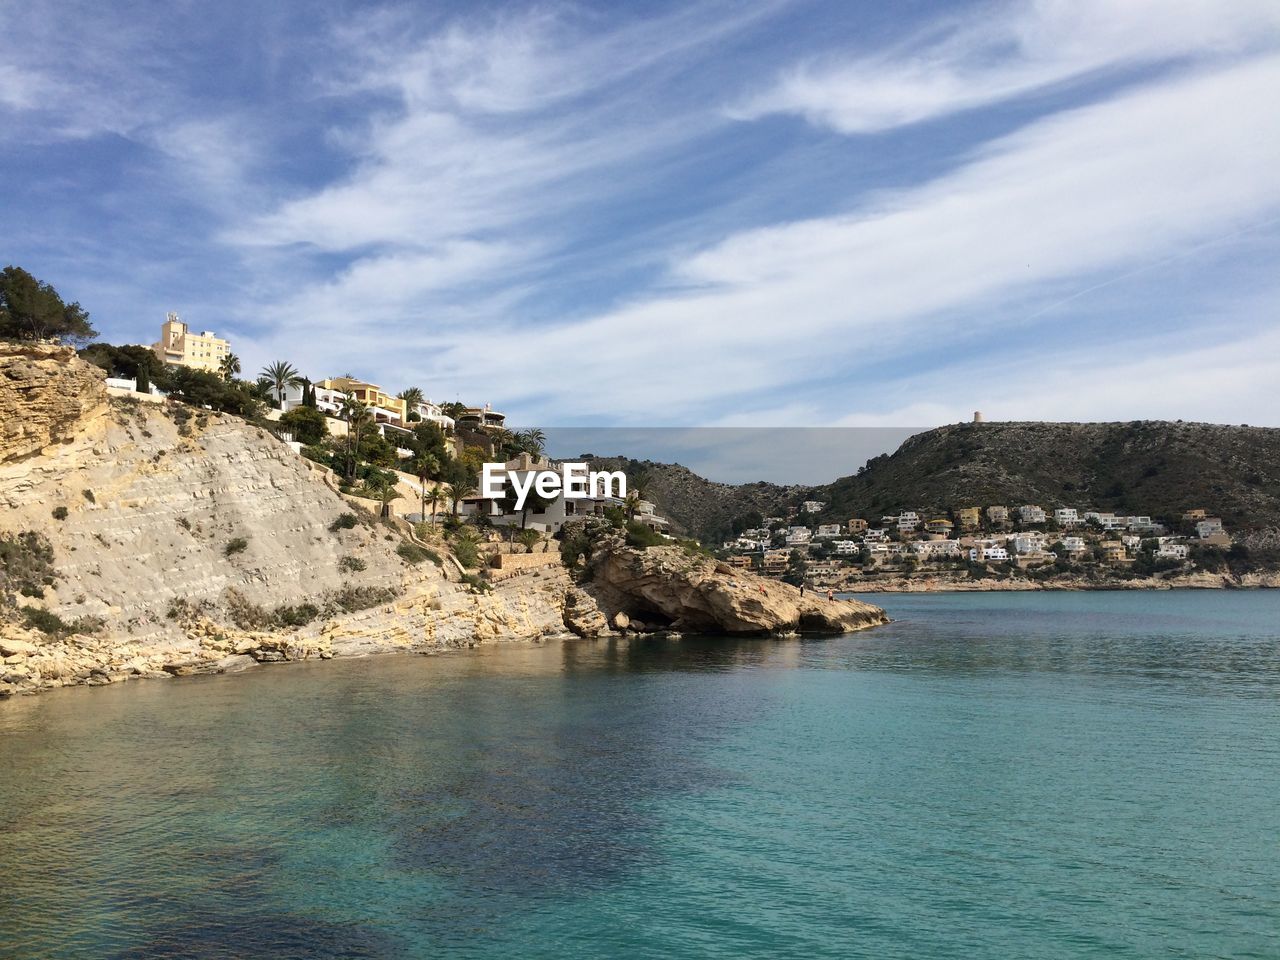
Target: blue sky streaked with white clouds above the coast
{"x":700,"y":214}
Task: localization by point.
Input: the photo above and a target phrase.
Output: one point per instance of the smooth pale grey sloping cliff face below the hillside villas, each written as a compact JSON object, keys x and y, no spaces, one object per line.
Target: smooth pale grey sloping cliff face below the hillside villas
{"x":156,"y":511}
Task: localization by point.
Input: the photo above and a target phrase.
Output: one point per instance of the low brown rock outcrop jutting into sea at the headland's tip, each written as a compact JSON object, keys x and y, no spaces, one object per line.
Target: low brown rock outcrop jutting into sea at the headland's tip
{"x":668,"y":586}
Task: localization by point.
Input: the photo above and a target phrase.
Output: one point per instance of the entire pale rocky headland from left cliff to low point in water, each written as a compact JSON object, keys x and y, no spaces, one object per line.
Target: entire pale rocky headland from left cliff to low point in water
{"x":159,"y":541}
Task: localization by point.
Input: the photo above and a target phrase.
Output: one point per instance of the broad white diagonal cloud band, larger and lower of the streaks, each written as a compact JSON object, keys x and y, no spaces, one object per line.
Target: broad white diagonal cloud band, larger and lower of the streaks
{"x":1105,"y":188}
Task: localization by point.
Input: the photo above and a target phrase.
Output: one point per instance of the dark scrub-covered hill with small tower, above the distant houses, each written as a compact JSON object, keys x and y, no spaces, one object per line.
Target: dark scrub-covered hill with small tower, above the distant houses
{"x":1150,"y":468}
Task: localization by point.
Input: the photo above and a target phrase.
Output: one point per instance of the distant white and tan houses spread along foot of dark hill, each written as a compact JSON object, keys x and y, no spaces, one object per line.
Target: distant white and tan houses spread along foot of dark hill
{"x":1025,"y":537}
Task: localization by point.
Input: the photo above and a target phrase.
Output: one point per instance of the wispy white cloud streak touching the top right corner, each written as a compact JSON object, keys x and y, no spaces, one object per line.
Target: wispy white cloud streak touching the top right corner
{"x":1012,"y":51}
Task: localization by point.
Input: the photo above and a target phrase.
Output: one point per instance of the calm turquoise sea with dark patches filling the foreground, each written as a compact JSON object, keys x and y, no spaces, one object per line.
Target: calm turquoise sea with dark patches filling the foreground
{"x":991,"y":776}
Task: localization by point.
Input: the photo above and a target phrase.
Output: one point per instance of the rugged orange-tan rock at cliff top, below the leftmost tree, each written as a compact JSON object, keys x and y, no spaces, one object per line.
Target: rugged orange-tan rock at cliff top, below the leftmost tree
{"x":47,"y":395}
